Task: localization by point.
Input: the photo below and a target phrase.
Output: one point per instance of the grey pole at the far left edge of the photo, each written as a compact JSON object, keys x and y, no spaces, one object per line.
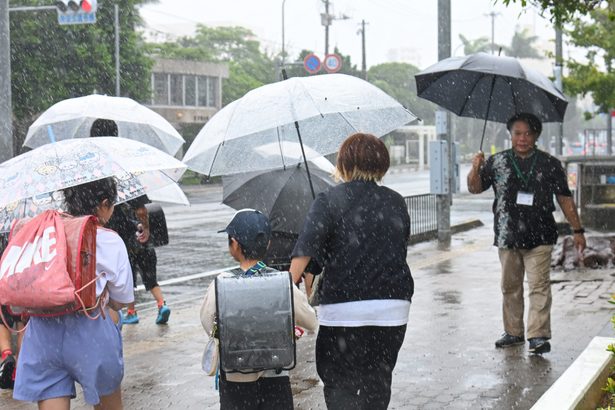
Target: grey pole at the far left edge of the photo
{"x":6,"y":110}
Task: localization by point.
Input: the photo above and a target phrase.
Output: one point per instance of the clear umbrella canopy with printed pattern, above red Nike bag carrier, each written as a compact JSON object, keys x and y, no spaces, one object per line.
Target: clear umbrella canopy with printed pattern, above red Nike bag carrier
{"x":30,"y":182}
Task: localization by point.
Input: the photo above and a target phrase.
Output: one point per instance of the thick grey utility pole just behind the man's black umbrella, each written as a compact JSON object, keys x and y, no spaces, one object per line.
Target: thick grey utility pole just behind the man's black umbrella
{"x":444,"y":201}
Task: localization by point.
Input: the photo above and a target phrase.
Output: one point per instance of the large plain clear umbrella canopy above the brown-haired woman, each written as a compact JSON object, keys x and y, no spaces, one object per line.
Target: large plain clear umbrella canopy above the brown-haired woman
{"x":326,"y":109}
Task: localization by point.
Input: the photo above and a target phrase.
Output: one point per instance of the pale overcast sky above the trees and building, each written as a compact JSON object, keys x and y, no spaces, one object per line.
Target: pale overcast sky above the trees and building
{"x":396,"y":30}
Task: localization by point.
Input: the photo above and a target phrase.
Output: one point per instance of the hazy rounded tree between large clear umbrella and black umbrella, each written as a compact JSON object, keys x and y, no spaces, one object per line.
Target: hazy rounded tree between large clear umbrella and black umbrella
{"x":397,"y":80}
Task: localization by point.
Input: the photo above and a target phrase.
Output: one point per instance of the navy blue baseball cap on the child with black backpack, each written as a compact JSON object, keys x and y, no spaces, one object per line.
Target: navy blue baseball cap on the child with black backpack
{"x":250,"y":228}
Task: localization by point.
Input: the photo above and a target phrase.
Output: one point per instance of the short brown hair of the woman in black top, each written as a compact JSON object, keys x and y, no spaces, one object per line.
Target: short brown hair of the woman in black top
{"x":362,"y":157}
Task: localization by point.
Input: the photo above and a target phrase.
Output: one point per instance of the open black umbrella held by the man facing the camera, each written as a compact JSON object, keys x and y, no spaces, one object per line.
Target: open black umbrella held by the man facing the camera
{"x":490,"y":87}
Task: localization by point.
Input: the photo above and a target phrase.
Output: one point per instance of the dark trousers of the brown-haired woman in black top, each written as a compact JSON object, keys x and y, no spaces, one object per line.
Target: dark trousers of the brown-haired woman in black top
{"x":356,"y":365}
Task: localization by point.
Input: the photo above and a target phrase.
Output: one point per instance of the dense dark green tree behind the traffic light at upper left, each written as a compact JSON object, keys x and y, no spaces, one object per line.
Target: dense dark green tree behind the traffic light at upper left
{"x":50,"y":62}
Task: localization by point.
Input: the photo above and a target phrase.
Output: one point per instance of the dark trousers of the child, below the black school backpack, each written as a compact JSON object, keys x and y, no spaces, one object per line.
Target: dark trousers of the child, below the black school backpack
{"x":267,"y":393}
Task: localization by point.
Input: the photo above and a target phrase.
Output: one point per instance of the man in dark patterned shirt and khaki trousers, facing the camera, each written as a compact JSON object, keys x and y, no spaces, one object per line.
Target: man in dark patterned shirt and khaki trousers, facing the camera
{"x":524,"y":180}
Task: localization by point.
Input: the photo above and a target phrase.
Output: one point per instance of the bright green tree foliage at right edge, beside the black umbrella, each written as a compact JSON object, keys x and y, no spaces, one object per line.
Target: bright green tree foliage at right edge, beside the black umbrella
{"x":596,"y":35}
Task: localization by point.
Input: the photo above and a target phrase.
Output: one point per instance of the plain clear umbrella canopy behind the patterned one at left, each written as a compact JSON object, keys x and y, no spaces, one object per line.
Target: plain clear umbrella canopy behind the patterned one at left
{"x":73,"y":118}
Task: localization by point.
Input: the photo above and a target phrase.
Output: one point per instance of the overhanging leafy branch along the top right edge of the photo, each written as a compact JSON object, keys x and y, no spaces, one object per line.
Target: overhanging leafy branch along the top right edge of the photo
{"x":563,"y":11}
